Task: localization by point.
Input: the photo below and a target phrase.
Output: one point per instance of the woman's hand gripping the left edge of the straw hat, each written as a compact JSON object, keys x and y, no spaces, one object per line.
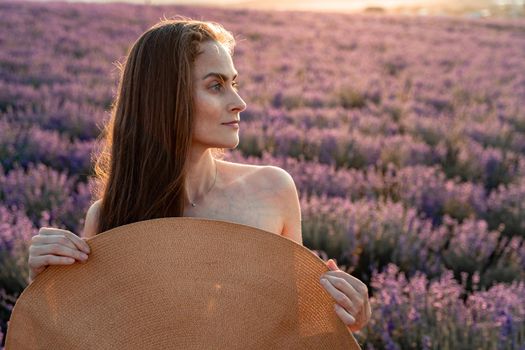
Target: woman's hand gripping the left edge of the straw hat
{"x":53,"y":246}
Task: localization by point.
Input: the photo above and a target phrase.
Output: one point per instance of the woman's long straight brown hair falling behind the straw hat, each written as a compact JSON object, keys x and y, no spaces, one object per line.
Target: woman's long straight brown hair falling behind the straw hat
{"x":141,"y":169}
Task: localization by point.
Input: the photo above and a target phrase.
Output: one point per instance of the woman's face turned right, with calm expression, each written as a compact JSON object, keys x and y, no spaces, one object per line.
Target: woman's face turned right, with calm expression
{"x":216,"y":98}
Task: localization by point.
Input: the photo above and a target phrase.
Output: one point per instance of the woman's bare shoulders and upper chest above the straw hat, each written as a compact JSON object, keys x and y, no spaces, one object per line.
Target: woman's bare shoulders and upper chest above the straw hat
{"x":264,"y":197}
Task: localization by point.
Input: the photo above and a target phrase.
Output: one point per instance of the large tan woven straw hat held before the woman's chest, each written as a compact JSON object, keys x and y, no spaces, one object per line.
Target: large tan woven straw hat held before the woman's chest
{"x":181,"y":283}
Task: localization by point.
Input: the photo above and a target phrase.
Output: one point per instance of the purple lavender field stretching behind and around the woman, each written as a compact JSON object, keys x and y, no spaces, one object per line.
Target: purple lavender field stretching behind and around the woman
{"x":405,"y":137}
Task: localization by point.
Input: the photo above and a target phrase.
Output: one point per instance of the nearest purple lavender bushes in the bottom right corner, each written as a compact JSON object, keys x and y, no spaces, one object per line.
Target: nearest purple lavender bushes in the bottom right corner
{"x":416,"y":313}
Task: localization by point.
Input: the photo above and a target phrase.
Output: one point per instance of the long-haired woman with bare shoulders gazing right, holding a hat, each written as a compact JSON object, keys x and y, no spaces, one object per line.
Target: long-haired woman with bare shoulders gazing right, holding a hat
{"x":177,"y":104}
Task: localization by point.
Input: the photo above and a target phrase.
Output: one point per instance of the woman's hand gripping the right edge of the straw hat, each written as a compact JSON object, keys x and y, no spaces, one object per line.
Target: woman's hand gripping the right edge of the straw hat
{"x":350,"y":294}
